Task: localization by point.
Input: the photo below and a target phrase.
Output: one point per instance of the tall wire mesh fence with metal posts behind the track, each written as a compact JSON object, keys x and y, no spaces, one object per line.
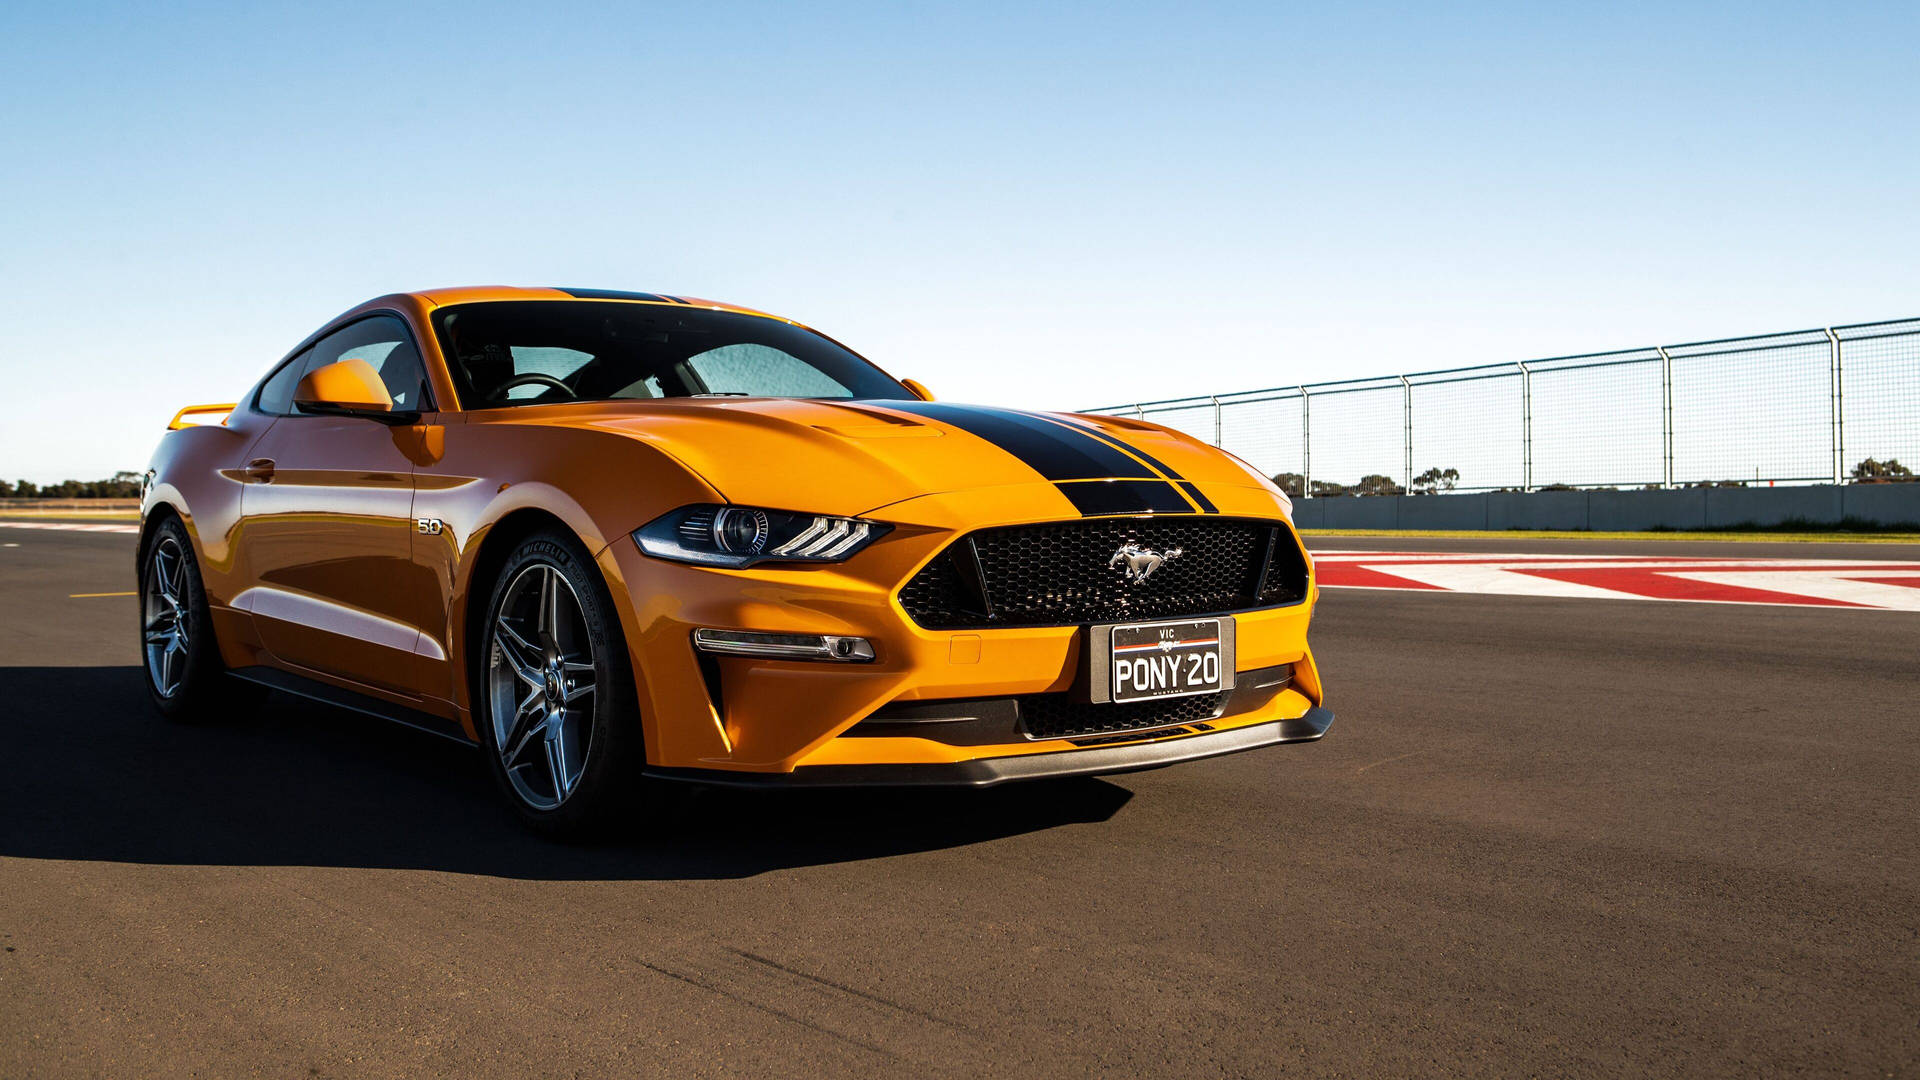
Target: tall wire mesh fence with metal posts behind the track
{"x":1812,"y":406}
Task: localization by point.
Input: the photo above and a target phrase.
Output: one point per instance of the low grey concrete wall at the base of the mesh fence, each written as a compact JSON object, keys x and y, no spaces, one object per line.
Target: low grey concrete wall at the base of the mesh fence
{"x":1621,"y":512}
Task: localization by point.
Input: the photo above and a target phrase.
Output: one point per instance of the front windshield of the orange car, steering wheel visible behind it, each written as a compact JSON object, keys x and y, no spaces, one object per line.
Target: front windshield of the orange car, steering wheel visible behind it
{"x":540,"y":353}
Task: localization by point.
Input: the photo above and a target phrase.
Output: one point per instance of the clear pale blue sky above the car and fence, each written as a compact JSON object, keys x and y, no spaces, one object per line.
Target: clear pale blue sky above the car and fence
{"x":1049,"y":207}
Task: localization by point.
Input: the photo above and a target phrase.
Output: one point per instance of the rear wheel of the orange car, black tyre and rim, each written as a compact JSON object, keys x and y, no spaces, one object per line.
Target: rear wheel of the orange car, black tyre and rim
{"x":185,"y":675}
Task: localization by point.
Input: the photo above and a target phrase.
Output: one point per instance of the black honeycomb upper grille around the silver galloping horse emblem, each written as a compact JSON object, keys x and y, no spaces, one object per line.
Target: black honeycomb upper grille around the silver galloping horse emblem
{"x":1063,"y":576}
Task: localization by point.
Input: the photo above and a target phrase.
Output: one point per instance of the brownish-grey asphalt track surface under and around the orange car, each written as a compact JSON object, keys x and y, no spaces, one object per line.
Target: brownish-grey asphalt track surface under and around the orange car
{"x":1547,"y":837}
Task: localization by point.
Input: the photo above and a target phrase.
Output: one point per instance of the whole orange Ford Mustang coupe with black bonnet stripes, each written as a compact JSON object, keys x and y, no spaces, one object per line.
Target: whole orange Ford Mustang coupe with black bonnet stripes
{"x":623,"y":537}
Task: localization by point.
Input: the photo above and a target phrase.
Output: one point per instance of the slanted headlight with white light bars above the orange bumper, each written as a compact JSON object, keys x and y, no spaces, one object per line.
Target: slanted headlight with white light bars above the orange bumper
{"x":744,"y":535}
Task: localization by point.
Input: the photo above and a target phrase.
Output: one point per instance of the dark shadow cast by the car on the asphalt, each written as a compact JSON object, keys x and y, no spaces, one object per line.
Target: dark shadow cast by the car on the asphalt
{"x":97,"y":775}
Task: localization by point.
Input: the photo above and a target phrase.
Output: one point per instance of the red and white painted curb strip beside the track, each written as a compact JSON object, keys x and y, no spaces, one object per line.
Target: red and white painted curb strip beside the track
{"x":1815,"y":583}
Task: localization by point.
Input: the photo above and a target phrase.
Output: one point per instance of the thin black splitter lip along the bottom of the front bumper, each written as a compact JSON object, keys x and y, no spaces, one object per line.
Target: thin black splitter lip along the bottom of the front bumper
{"x":990,"y":772}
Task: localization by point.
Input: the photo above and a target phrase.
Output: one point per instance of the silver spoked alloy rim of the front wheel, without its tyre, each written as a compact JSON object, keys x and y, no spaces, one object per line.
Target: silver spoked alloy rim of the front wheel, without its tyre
{"x":540,"y":687}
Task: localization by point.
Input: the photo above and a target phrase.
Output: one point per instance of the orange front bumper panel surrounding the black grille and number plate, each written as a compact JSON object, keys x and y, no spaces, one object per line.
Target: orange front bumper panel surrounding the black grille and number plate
{"x":767,"y":720}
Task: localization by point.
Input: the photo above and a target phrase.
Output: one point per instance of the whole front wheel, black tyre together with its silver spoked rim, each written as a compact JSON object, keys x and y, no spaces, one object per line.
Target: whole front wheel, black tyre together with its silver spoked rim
{"x":554,"y":699}
